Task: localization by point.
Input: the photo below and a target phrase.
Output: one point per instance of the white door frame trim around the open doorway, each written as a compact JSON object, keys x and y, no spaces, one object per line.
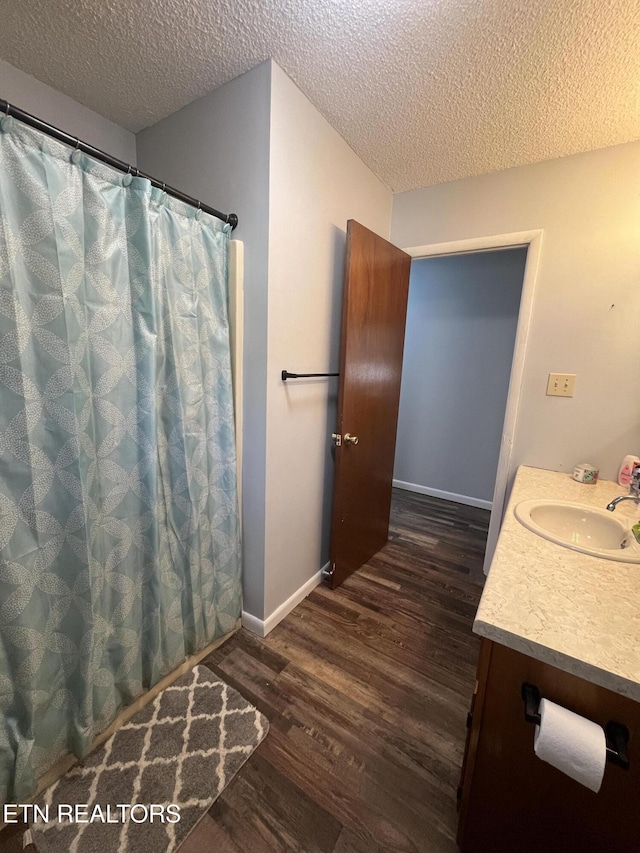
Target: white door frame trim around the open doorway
{"x":531,"y":243}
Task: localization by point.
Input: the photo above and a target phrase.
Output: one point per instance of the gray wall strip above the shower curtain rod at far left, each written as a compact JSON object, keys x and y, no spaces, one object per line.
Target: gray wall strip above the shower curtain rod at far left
{"x":57,"y":109}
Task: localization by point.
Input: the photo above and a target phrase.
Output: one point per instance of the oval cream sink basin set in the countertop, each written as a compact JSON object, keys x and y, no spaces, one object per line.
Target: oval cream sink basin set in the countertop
{"x":581,"y":528}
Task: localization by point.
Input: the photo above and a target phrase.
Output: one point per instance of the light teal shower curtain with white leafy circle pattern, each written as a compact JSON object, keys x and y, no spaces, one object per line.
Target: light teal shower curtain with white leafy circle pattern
{"x":119,"y":535}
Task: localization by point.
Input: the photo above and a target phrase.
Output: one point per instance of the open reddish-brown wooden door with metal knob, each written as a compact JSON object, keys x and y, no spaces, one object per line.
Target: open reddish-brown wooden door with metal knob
{"x":374,"y":309}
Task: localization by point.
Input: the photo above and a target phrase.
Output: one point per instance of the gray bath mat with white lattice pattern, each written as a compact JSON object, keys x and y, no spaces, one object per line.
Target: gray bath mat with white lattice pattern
{"x":174,"y":757}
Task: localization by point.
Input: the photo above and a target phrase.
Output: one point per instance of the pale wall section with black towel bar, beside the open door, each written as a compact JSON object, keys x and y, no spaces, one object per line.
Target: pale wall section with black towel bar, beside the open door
{"x":317,"y":184}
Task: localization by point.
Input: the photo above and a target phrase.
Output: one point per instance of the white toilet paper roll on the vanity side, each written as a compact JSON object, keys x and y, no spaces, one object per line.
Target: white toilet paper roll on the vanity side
{"x":576,"y":746}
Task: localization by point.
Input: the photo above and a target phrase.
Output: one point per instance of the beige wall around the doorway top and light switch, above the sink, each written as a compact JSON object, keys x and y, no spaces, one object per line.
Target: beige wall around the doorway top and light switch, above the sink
{"x":587,"y":298}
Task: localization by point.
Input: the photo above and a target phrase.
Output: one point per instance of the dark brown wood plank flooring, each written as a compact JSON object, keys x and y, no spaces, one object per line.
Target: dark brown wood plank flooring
{"x":367,"y":689}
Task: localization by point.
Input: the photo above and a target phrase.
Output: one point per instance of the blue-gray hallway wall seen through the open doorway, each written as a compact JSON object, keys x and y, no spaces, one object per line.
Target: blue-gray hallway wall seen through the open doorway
{"x":461,"y":327}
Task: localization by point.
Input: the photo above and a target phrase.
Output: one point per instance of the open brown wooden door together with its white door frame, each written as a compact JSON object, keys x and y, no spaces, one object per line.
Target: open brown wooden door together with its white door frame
{"x":371,"y":331}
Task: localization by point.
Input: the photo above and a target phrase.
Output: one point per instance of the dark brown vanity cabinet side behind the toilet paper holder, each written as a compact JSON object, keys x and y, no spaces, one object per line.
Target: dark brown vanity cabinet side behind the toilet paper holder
{"x":510,"y":800}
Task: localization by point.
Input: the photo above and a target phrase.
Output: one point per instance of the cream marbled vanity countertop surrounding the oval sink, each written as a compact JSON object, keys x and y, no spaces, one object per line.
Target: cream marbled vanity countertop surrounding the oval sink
{"x":576,"y":612}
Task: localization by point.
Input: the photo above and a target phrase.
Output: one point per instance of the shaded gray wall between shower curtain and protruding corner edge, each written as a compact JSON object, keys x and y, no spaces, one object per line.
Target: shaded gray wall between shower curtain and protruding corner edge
{"x":217,"y":149}
